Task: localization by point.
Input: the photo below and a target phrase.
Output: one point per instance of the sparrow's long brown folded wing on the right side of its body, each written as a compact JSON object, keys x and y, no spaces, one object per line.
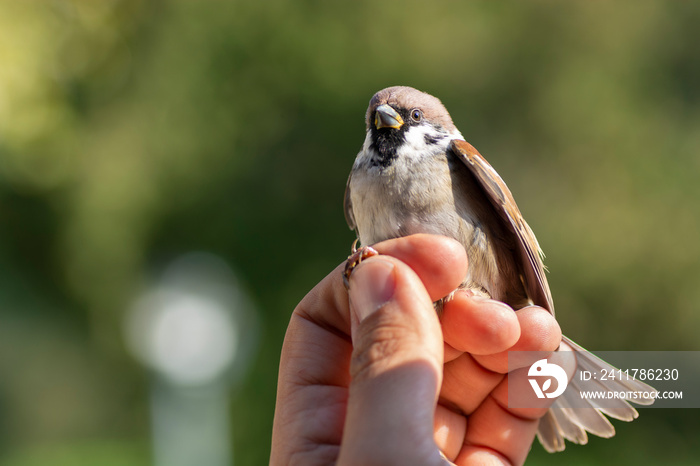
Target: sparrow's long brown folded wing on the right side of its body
{"x":533,"y":270}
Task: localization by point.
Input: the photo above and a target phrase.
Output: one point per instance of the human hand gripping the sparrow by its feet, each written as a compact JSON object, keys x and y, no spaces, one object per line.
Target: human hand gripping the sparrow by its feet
{"x":383,"y":381}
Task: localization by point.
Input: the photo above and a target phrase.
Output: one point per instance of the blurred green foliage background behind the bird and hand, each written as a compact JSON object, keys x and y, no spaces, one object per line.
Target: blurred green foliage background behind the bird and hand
{"x":132,"y":131}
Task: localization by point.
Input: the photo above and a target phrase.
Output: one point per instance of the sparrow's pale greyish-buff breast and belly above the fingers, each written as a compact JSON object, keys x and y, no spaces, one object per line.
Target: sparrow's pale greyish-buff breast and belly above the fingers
{"x":440,"y":197}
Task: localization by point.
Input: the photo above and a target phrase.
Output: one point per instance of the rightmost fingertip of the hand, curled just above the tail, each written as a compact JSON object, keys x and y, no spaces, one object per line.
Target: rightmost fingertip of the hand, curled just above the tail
{"x":539,"y":332}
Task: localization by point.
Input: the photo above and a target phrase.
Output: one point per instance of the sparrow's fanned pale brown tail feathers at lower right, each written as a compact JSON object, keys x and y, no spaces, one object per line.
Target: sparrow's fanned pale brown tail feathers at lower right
{"x":569,"y":419}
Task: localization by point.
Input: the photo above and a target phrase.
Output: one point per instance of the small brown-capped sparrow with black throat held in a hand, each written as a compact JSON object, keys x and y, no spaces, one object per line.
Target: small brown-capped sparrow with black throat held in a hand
{"x":415,"y":174}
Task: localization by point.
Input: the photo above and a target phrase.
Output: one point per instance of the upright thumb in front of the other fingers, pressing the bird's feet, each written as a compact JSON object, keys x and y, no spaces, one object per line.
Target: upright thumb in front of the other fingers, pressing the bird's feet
{"x":396,"y":367}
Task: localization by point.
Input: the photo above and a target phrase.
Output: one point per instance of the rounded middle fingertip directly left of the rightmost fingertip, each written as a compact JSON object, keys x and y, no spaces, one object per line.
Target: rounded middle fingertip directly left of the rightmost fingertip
{"x":479,"y":326}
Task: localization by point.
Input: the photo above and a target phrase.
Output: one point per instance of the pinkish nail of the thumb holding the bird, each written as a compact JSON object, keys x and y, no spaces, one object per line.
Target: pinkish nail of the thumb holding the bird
{"x":372,"y":285}
